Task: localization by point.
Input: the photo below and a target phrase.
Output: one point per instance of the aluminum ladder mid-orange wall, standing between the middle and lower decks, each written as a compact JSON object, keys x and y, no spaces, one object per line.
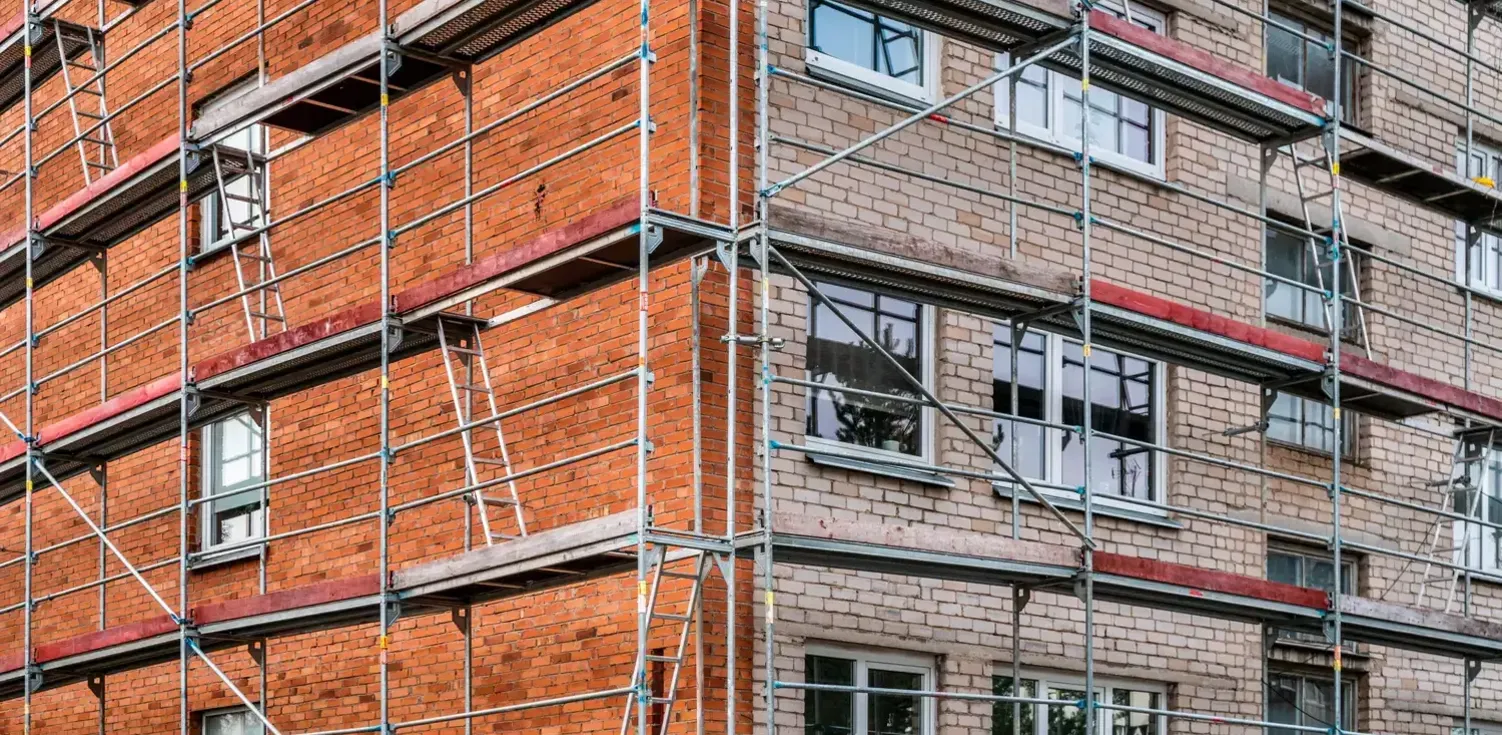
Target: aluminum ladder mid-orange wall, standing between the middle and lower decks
{"x":463,"y":361}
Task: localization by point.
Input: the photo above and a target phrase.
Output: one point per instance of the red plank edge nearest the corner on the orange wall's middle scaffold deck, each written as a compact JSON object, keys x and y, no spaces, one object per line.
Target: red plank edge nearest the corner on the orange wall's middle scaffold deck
{"x":617,"y":216}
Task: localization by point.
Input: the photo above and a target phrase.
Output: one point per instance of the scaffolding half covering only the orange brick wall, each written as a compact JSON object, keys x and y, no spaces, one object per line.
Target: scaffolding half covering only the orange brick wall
{"x":223,"y":156}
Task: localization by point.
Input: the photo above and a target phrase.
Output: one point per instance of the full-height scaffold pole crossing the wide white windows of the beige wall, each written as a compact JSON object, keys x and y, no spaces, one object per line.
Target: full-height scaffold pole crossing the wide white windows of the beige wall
{"x":1087,"y":429}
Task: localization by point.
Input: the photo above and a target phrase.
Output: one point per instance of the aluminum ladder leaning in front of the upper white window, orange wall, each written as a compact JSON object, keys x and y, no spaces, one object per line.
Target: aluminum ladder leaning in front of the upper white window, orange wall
{"x":244,"y":214}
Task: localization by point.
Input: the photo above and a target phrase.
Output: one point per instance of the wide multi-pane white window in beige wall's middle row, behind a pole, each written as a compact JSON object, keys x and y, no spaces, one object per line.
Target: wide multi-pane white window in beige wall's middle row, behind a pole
{"x":1126,"y":393}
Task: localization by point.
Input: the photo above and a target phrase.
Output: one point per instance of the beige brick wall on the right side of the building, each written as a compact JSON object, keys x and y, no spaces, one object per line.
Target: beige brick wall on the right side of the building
{"x":1207,"y":665}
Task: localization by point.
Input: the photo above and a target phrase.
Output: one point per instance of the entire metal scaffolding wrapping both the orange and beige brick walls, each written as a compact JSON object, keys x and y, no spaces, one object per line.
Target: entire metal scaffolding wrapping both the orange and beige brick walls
{"x":624,"y":243}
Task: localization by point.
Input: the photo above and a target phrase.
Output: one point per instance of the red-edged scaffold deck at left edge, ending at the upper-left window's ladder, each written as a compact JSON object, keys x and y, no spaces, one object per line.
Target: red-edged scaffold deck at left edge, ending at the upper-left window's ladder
{"x":121,"y":204}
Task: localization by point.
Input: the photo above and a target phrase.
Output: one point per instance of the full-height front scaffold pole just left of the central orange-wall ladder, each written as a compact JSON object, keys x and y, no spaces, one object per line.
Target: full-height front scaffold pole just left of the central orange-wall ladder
{"x":387,"y":244}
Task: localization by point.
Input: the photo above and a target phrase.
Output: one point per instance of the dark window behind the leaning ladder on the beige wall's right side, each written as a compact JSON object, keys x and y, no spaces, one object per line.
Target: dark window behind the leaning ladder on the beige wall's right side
{"x":1291,"y":258}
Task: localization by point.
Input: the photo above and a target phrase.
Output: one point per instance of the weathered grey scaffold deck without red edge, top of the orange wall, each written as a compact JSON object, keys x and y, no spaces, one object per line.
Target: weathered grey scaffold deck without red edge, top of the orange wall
{"x":435,"y":40}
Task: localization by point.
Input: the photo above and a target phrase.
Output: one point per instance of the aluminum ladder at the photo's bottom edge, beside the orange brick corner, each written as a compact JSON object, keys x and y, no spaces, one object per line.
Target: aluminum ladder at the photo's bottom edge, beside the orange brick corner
{"x":659,"y":563}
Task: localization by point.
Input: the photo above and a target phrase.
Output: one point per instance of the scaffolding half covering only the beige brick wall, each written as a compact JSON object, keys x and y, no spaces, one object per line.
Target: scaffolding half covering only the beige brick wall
{"x":1307,"y":135}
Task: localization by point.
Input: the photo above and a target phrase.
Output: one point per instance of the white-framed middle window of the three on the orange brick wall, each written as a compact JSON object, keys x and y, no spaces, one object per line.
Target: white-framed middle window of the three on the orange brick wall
{"x":234,"y":461}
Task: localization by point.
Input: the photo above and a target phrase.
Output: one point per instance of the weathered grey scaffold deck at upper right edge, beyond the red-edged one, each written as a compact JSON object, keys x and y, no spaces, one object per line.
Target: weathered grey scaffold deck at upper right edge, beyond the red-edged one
{"x":1435,"y":187}
